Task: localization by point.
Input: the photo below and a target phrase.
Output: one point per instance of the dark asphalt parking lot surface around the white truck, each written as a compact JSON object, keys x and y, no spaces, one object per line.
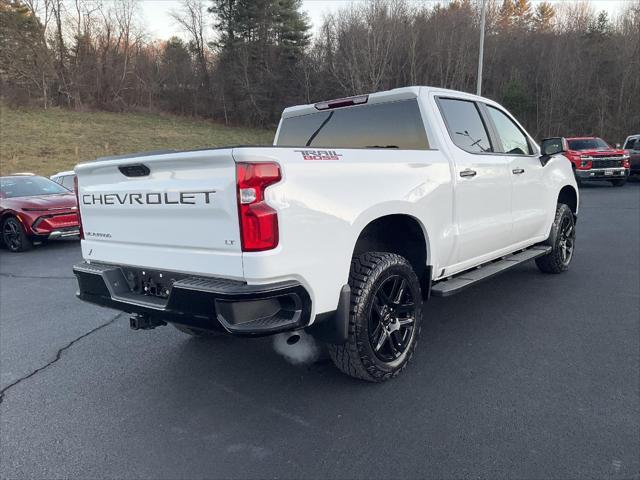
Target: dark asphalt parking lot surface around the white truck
{"x":523,"y":376}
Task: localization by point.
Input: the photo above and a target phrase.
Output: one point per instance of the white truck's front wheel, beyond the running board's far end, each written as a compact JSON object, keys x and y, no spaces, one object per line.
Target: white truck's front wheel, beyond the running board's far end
{"x":558,"y":260}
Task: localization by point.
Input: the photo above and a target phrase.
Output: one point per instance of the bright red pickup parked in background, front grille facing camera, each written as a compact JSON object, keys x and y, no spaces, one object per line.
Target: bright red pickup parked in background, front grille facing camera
{"x":595,"y":159}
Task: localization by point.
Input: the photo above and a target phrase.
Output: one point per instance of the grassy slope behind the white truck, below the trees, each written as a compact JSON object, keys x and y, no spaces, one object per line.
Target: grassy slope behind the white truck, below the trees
{"x":49,"y":141}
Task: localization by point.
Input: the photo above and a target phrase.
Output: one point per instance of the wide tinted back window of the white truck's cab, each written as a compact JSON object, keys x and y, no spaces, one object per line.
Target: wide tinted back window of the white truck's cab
{"x":383,"y":125}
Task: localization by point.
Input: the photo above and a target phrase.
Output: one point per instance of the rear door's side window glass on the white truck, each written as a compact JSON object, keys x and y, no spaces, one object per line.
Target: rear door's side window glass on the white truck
{"x":466,"y":128}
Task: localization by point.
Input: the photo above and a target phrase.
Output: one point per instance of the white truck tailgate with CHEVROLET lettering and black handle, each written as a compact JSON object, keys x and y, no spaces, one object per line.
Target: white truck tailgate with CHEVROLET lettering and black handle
{"x":175,"y":211}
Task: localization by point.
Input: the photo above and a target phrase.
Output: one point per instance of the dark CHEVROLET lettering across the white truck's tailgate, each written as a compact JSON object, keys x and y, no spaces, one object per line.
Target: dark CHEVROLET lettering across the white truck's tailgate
{"x":152,"y":198}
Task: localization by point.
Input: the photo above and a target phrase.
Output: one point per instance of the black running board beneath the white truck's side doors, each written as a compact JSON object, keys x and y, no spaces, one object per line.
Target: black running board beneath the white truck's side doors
{"x":460,"y":281}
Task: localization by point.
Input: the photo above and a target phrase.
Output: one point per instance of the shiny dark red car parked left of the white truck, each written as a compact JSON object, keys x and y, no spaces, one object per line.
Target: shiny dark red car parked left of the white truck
{"x":35,"y":209}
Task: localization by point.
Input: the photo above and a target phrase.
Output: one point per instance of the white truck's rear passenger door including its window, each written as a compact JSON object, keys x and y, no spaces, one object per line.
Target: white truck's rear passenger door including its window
{"x":483,"y":183}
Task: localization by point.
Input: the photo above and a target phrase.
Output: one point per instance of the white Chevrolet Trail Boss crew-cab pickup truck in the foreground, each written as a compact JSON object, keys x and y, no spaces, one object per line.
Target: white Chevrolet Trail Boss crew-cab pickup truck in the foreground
{"x":363,"y":208}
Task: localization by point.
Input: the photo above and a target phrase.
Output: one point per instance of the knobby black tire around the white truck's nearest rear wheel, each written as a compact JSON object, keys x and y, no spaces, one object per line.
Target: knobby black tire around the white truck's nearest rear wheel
{"x":356,"y":357}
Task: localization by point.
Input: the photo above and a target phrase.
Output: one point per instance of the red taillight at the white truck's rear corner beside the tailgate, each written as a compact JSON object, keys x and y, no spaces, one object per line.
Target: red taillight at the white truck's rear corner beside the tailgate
{"x":258,"y":221}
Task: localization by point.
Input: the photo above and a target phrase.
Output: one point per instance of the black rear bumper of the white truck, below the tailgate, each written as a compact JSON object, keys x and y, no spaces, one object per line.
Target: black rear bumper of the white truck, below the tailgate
{"x":202,"y":302}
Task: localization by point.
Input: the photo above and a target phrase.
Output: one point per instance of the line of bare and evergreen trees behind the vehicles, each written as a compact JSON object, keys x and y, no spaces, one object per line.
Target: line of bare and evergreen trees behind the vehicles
{"x":562,"y":69}
